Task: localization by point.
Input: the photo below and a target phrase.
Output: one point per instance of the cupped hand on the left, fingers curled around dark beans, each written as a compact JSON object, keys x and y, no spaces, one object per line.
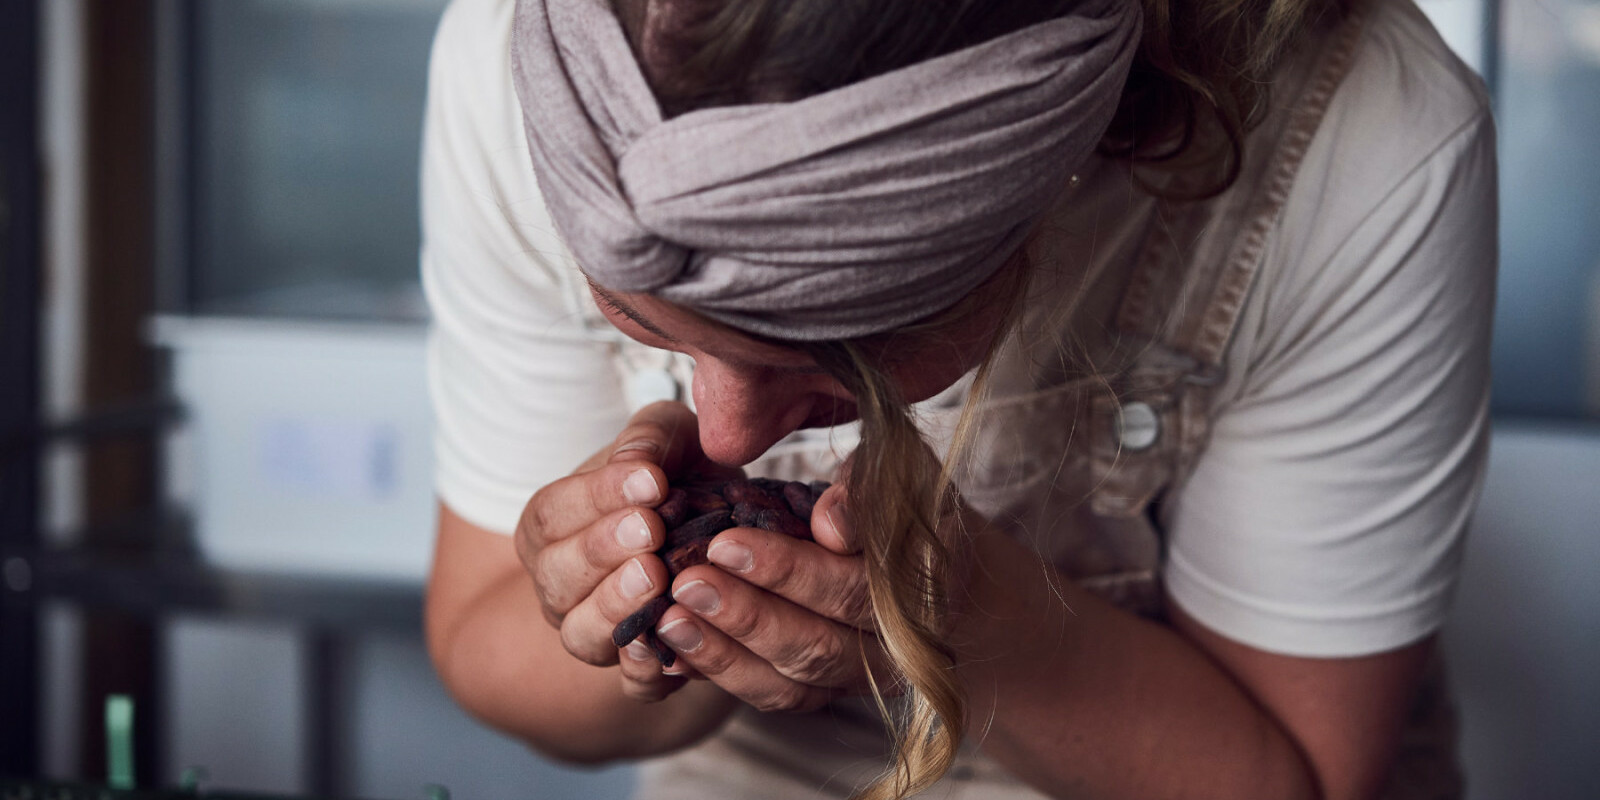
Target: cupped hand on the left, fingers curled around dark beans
{"x":590,"y":540}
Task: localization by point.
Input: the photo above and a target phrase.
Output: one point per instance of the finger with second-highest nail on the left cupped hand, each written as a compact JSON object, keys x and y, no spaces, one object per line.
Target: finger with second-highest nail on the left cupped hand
{"x":567,"y":570}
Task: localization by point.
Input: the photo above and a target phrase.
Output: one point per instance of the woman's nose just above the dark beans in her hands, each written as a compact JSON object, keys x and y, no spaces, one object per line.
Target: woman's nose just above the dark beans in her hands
{"x":745,"y":414}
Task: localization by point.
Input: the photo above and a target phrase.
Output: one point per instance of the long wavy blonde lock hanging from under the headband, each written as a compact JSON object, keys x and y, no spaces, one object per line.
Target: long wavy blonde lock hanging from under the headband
{"x":905,"y":510}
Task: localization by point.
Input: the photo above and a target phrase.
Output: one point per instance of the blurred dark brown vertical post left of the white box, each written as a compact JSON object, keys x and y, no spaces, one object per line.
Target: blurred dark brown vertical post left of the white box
{"x":121,"y":652}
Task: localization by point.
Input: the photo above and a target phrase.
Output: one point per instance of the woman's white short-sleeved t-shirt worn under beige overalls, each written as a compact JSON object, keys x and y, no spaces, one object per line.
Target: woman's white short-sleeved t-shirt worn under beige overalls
{"x":1327,"y":513}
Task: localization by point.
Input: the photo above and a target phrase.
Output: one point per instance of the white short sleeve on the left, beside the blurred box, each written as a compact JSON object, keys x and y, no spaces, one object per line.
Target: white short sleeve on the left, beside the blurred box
{"x":522,"y":390}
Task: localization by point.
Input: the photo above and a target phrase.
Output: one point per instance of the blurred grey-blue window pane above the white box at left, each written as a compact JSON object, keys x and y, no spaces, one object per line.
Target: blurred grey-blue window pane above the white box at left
{"x":308,"y":129}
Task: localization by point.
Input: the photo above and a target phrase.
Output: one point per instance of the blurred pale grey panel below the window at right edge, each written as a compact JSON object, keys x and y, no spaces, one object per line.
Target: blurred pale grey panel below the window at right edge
{"x":1524,"y":641}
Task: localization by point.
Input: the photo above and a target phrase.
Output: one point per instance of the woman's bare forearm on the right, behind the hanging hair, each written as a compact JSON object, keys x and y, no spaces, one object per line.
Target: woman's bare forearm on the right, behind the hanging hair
{"x":1084,"y":700}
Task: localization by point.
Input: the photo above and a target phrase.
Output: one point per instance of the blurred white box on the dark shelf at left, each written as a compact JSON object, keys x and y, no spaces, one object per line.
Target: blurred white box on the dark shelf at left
{"x":310,"y":447}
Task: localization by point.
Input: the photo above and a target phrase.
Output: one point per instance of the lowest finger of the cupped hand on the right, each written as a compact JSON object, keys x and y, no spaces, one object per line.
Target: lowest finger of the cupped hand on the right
{"x":734,"y":668}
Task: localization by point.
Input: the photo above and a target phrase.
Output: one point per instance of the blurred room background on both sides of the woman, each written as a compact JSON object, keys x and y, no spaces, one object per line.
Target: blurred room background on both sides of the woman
{"x":215,"y":474}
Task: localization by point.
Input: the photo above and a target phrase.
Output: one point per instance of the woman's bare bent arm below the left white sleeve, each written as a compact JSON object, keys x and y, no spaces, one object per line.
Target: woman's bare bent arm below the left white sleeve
{"x":503,"y":662}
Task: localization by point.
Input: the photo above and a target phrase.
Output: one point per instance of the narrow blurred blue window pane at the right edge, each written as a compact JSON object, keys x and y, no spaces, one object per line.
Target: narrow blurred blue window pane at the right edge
{"x":1548,"y":327}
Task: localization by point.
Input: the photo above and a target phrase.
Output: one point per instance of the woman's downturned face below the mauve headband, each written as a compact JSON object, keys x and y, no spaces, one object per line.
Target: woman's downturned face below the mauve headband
{"x":753,"y":393}
